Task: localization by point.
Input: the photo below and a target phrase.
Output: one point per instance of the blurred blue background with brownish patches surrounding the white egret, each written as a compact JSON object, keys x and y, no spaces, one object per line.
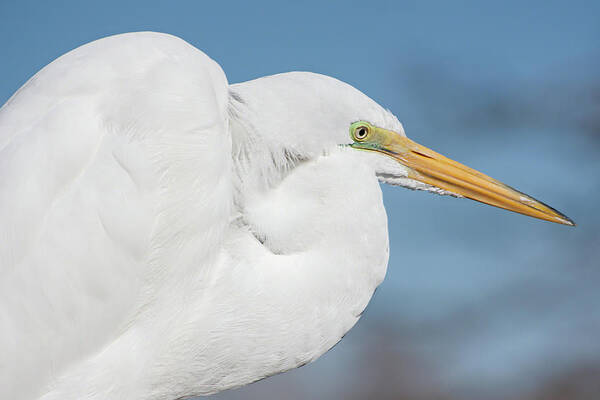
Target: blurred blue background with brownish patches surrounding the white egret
{"x":478,"y":302}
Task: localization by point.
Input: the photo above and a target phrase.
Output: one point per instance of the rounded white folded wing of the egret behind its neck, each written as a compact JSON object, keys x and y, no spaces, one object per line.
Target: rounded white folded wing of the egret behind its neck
{"x":114,"y":176}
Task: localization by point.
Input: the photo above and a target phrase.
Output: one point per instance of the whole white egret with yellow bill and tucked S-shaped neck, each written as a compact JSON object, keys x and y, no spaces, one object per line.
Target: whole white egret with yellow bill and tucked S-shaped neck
{"x":166,"y":234}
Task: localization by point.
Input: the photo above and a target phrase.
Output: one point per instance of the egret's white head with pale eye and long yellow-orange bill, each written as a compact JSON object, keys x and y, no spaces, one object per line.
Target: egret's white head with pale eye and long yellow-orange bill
{"x":309,"y":115}
